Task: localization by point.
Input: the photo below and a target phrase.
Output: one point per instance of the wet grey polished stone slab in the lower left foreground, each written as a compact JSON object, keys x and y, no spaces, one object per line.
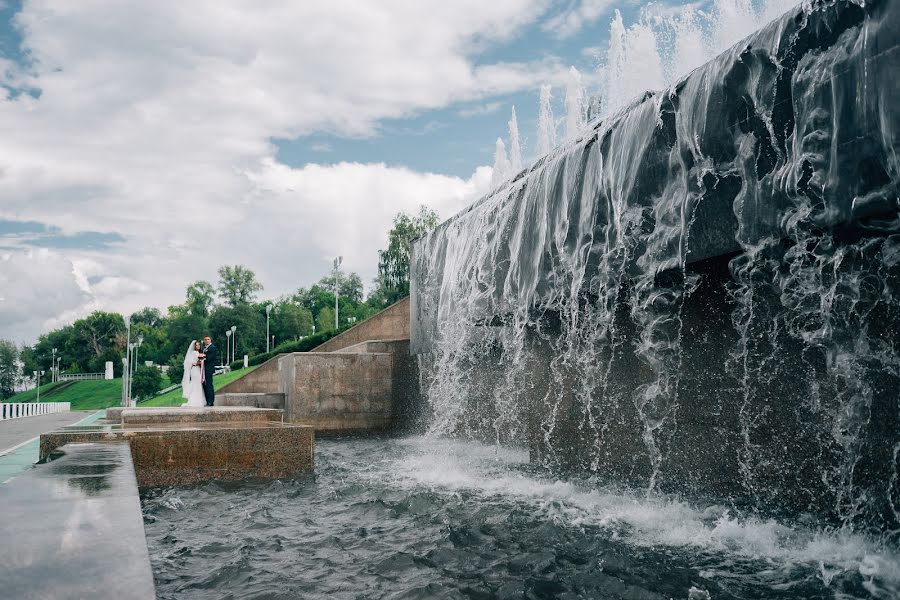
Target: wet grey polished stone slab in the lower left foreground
{"x":72,"y":528}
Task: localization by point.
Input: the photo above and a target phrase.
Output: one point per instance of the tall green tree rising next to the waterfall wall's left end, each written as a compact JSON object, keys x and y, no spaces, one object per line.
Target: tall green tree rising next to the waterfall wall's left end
{"x":392,"y":283}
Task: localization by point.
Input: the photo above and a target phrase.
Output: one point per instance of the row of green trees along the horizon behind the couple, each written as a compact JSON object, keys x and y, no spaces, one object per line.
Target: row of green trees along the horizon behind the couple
{"x":85,"y":345}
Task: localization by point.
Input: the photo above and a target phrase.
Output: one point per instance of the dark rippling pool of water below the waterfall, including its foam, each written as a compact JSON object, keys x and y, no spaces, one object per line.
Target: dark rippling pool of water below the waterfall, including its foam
{"x":424,"y":518}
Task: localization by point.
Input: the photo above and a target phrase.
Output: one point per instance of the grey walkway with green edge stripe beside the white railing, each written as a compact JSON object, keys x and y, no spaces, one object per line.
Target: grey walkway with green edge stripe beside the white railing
{"x":19,"y":438}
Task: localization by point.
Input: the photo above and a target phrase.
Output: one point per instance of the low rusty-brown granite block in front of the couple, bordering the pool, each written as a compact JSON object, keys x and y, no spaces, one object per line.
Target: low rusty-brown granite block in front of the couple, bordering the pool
{"x":164,"y":456}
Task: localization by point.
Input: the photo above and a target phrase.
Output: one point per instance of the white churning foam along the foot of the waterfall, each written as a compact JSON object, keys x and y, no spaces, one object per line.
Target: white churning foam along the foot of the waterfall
{"x":497,"y":471}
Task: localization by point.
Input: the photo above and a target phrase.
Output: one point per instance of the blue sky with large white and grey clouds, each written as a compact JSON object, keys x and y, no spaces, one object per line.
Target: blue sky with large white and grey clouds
{"x":145,"y":144}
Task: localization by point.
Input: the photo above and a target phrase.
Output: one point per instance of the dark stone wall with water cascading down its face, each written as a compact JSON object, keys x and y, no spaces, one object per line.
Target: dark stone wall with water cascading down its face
{"x":702,"y":294}
